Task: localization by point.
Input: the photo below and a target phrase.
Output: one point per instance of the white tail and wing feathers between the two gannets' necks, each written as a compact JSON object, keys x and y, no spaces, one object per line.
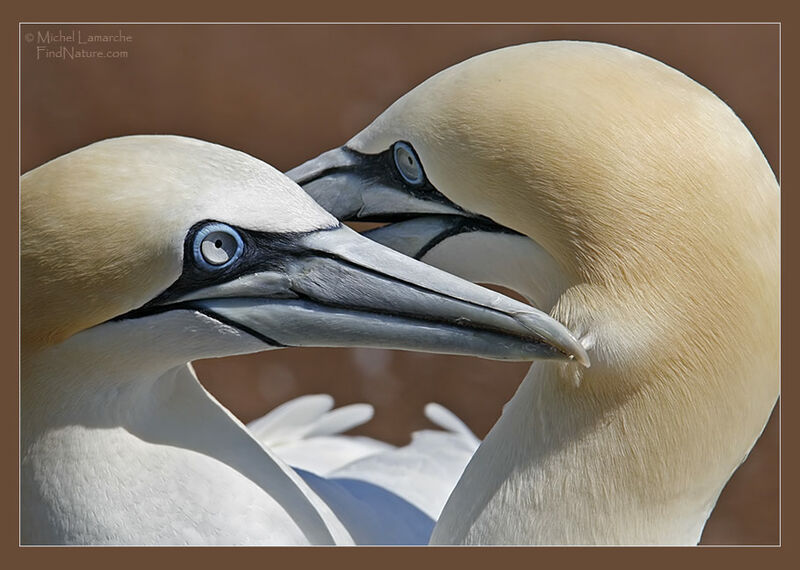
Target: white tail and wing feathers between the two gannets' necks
{"x":381,"y":493}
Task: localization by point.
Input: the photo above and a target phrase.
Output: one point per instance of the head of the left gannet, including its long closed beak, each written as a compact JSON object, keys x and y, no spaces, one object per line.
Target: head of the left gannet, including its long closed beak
{"x":131,"y":237}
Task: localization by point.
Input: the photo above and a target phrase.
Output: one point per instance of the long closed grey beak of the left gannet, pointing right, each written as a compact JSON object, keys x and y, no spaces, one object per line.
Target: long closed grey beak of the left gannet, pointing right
{"x":333,"y":287}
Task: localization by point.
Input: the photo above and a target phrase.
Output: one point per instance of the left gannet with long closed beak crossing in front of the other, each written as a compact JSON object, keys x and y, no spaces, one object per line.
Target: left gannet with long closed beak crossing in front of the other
{"x":140,"y":254}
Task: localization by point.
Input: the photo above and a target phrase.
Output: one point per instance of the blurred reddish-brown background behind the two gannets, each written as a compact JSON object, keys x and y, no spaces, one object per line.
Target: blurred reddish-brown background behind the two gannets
{"x":284,"y":93}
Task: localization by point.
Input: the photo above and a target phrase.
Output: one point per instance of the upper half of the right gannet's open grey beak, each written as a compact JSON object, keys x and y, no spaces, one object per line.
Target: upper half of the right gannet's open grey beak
{"x":364,"y":187}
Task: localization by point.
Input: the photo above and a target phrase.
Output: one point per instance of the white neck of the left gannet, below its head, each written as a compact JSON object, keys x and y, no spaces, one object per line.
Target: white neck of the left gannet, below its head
{"x":102,"y":439}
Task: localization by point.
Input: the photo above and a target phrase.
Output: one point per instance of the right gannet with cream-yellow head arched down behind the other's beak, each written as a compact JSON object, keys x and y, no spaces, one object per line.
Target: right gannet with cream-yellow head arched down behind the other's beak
{"x":633,"y":205}
